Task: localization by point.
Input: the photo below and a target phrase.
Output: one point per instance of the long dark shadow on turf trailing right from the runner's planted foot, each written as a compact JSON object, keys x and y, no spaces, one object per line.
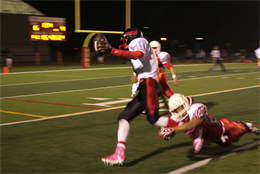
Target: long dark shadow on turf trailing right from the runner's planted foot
{"x":154,"y":153}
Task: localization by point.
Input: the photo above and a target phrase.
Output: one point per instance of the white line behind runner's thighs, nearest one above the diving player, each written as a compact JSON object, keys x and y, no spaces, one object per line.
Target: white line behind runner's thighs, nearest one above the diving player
{"x":106,"y":109}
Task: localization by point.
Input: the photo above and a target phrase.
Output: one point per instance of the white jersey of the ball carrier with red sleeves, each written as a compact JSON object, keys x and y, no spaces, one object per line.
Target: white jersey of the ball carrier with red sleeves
{"x":147,"y":65}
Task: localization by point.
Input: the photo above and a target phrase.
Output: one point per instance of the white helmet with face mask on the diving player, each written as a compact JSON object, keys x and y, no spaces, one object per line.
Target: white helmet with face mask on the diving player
{"x":177,"y":100}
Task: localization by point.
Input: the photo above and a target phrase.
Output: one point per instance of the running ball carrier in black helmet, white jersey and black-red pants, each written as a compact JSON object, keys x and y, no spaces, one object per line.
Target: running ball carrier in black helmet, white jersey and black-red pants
{"x":145,"y":66}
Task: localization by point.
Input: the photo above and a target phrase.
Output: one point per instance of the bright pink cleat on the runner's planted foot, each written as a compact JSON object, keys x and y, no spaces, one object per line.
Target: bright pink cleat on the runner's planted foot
{"x":117,"y":158}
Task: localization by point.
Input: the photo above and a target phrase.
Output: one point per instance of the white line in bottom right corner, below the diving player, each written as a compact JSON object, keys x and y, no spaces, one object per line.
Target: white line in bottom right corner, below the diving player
{"x":215,"y":158}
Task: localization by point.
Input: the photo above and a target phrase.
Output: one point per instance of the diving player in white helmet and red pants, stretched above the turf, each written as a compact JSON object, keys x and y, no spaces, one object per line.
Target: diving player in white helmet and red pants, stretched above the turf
{"x":198,"y":124}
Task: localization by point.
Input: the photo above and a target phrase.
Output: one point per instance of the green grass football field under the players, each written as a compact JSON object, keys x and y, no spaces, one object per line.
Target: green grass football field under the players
{"x":63,"y":120}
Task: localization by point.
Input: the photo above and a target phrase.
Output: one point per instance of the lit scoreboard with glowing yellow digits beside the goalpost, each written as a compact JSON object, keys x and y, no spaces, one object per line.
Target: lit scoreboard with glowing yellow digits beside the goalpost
{"x":47,"y":28}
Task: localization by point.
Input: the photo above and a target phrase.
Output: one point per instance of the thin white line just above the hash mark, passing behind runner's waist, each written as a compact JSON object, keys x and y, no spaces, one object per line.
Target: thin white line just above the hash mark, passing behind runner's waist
{"x":114,"y":86}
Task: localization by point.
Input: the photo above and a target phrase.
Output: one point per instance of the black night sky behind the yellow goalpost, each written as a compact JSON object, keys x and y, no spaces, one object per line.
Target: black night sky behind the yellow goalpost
{"x":217,"y":21}
